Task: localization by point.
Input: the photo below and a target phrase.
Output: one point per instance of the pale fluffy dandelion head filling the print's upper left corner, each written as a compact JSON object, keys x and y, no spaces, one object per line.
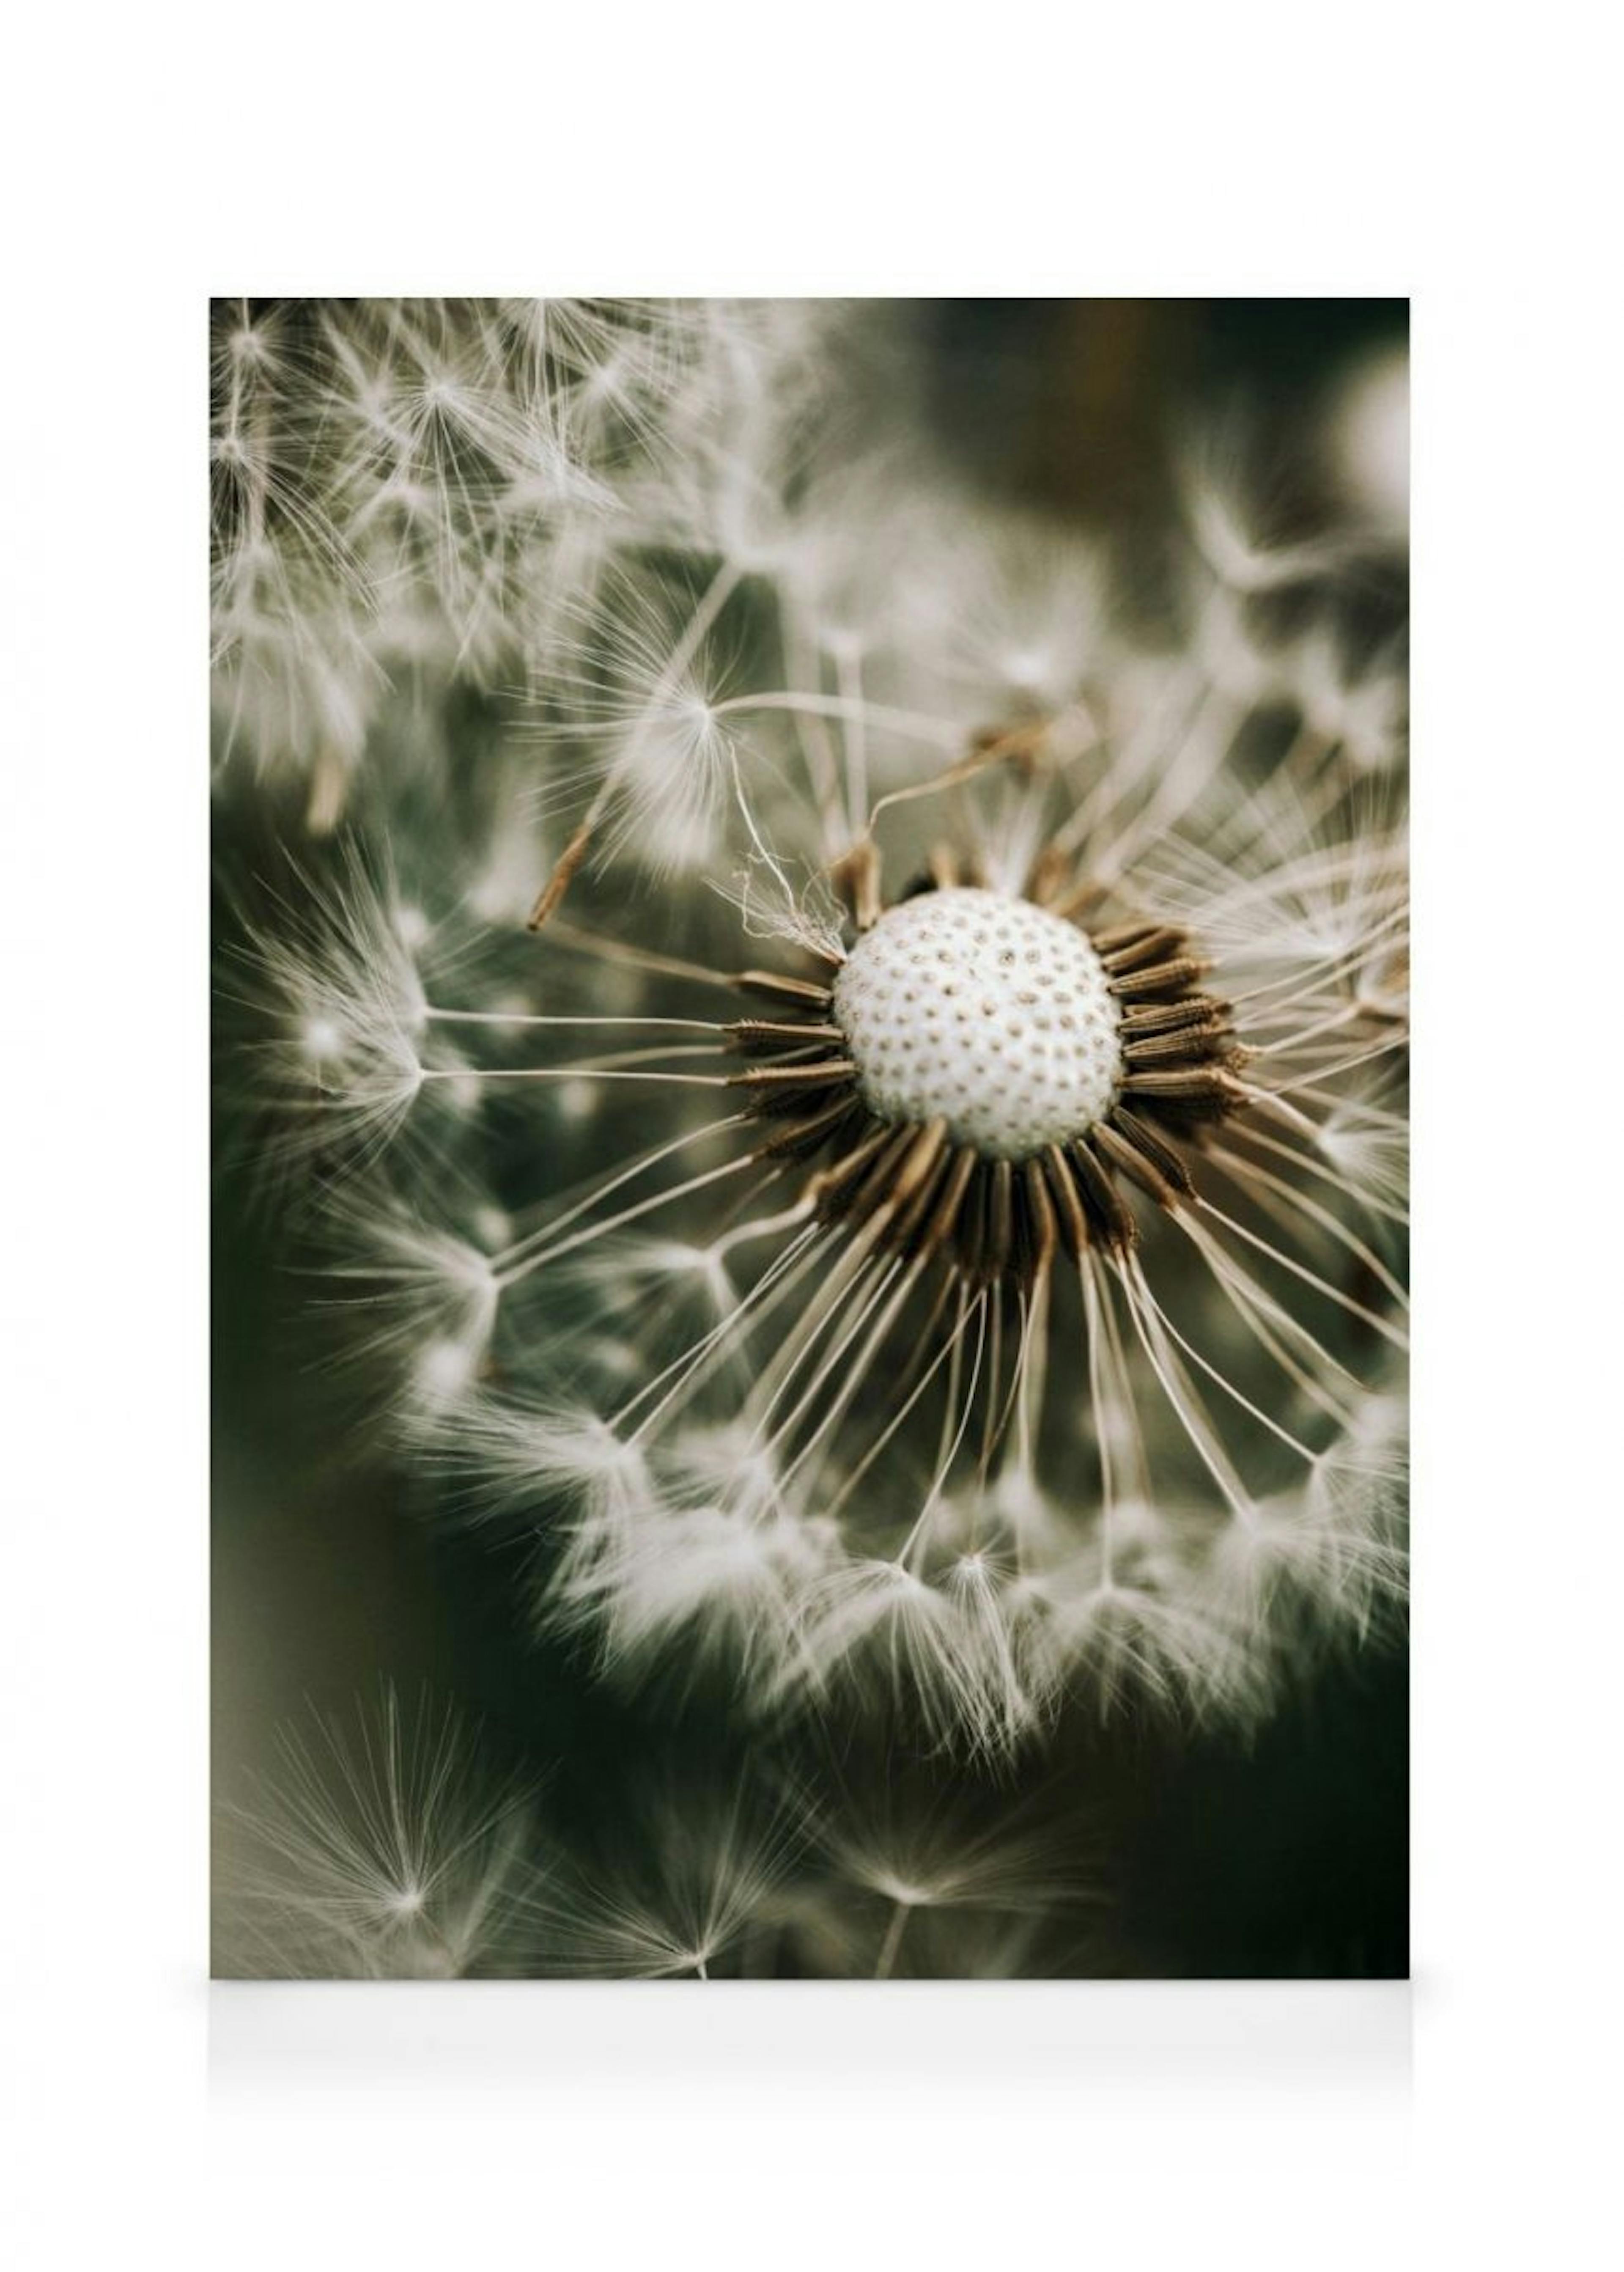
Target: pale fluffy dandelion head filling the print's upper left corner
{"x":401,"y":485}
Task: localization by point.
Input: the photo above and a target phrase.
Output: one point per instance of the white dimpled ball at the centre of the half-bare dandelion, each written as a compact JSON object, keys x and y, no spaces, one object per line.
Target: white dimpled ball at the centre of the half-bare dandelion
{"x":982,"y":1012}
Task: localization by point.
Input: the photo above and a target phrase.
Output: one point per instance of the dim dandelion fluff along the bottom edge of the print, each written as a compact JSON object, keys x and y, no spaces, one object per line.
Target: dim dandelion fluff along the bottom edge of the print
{"x":385,"y":1846}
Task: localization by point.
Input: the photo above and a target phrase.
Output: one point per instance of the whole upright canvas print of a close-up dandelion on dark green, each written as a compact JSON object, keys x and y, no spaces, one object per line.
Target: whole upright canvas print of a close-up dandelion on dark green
{"x":810,"y":1333}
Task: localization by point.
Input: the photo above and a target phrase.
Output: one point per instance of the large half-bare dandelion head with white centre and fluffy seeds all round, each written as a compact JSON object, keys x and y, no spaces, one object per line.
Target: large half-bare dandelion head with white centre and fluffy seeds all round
{"x":951,"y":1203}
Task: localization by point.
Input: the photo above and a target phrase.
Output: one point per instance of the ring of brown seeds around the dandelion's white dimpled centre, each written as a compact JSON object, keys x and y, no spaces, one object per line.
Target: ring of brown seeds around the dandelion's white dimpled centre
{"x":916,"y":1194}
